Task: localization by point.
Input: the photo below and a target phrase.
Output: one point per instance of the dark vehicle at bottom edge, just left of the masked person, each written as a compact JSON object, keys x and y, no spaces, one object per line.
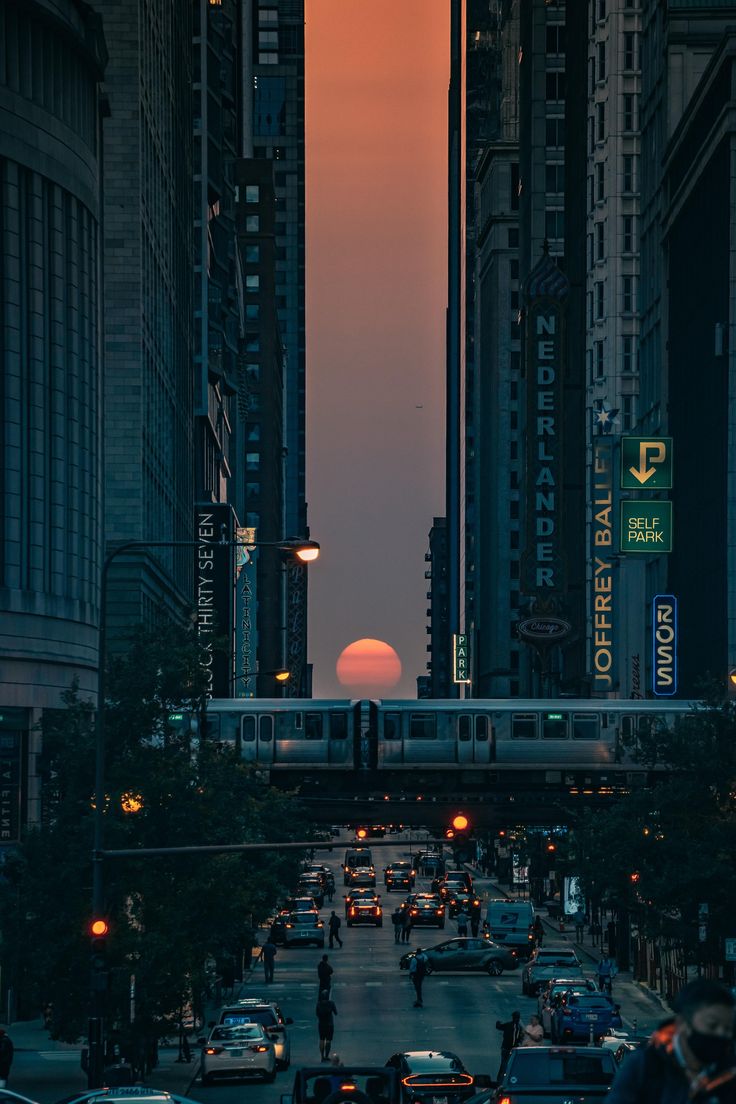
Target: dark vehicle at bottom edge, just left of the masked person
{"x":557,"y":1076}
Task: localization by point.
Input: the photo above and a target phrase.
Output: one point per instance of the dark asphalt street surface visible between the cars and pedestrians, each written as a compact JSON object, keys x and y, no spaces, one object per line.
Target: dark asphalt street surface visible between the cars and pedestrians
{"x":375,"y":1001}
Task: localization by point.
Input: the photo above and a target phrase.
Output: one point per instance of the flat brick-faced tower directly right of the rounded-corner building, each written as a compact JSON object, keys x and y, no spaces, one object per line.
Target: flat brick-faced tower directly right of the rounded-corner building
{"x":148,"y":264}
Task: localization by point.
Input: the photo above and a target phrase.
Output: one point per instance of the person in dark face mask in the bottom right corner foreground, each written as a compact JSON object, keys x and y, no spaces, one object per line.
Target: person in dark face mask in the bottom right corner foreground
{"x":690,"y":1058}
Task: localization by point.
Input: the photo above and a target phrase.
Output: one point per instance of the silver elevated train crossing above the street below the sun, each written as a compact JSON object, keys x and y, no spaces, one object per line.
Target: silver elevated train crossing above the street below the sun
{"x":435,"y":736}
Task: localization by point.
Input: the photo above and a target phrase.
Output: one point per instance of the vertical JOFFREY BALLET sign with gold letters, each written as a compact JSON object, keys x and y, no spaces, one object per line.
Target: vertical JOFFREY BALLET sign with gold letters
{"x":602,"y":576}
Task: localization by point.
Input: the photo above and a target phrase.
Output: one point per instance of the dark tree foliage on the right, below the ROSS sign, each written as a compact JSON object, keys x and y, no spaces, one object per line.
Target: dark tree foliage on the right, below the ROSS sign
{"x":666,"y":851}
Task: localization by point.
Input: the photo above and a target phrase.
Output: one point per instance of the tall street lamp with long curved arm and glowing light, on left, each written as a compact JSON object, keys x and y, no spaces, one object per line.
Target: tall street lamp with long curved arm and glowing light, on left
{"x":306,"y":551}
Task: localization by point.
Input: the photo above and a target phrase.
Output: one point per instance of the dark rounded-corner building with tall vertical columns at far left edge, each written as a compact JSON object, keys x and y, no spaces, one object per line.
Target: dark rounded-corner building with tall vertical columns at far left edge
{"x":52,"y":61}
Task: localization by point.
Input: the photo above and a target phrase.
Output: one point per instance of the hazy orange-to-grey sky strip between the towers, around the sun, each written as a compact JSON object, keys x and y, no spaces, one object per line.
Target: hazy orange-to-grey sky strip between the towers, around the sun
{"x":377,"y":293}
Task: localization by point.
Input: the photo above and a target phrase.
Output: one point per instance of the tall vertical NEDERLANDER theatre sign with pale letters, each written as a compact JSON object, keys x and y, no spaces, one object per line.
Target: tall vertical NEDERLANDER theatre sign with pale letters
{"x":543,"y":559}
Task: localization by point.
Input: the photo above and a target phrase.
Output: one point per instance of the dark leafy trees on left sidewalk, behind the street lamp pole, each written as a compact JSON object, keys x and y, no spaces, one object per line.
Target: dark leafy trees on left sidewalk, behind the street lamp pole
{"x":168,"y":916}
